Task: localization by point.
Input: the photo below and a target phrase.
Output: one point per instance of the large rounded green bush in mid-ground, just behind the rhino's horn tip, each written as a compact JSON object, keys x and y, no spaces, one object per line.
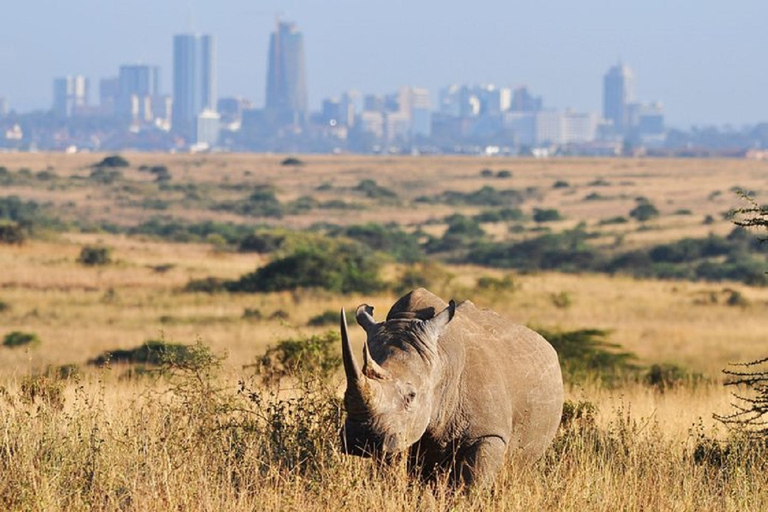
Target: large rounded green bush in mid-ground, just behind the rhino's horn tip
{"x":333,"y":265}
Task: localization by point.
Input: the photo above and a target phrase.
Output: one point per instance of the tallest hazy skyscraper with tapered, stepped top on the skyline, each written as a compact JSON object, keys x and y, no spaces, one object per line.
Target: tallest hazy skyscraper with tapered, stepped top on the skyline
{"x":286,"y":76}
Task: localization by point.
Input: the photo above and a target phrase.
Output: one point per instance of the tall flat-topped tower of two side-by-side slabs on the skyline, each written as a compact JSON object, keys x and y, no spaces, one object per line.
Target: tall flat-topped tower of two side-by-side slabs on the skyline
{"x":194,"y":80}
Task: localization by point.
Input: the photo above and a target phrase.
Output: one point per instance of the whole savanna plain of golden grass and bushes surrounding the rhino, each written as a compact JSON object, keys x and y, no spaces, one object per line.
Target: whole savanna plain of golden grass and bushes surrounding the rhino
{"x":142,"y":382}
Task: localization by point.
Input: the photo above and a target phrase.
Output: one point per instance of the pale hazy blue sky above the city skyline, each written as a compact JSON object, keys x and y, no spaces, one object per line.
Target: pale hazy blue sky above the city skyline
{"x":704,"y":59}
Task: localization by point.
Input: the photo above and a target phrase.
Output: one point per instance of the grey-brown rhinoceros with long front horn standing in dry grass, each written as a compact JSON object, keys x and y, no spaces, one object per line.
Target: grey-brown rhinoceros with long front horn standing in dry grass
{"x":457,"y":388}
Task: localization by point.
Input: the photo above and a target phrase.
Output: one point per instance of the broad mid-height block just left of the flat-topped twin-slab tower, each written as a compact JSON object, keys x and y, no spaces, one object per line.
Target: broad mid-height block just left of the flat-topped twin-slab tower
{"x":138,"y":85}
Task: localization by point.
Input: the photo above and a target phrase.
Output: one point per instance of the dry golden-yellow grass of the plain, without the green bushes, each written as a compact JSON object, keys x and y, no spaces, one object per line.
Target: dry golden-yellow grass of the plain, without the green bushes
{"x":142,"y":450}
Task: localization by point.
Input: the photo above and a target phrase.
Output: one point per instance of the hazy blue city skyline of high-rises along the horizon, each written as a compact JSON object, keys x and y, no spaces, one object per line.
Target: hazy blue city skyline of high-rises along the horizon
{"x":134,"y":111}
